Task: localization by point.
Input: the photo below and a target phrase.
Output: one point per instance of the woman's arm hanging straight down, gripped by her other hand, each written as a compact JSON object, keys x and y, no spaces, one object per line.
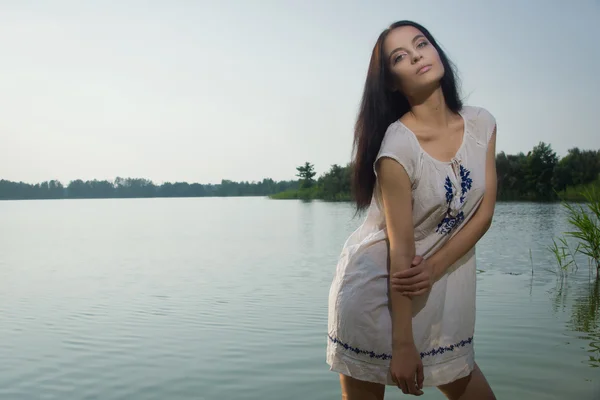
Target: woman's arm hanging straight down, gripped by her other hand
{"x":396,"y":193}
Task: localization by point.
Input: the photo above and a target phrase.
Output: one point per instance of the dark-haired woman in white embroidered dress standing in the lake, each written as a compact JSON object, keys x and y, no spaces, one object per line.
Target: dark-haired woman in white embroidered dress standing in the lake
{"x":424,"y":168}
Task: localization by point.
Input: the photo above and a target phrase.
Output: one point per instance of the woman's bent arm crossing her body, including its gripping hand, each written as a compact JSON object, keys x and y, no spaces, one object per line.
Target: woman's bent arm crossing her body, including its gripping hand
{"x":419,"y":279}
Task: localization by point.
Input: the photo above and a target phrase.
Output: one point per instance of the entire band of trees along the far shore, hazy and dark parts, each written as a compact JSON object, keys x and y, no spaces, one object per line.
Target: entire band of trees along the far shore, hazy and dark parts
{"x":539,"y":175}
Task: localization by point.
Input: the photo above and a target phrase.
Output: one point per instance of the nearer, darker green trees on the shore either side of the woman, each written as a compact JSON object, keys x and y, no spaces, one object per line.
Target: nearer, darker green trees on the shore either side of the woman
{"x":539,"y":175}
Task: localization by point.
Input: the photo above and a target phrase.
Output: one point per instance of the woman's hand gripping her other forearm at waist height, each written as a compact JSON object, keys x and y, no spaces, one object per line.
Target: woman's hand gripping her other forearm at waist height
{"x":416,"y":280}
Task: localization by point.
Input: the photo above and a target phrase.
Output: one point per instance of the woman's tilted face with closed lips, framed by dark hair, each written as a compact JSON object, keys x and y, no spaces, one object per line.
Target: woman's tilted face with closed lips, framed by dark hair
{"x":413,"y":61}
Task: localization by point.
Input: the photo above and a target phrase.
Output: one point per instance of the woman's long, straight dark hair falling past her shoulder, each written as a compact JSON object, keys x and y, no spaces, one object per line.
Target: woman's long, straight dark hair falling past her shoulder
{"x":380,"y":106}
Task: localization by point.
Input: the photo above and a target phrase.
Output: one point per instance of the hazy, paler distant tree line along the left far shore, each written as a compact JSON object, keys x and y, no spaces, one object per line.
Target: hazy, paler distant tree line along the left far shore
{"x":135,"y":187}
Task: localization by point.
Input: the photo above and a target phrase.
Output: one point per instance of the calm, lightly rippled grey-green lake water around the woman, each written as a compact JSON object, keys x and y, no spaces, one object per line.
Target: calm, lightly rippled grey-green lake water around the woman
{"x":226,"y":298}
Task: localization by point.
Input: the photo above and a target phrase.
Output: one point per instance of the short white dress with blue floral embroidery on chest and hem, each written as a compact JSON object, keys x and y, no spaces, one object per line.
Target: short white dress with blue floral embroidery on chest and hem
{"x":445,"y":196}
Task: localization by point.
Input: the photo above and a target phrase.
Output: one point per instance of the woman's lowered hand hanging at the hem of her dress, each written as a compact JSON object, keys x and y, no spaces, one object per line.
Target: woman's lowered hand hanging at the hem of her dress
{"x":406,"y":369}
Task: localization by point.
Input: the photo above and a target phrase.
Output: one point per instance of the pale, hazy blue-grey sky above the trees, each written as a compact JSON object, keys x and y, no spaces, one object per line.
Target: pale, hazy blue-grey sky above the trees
{"x":200,"y":91}
